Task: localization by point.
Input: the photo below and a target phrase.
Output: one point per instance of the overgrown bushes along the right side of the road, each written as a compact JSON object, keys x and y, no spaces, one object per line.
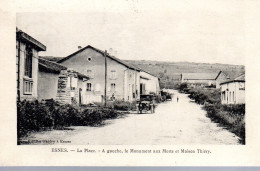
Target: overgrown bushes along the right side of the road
{"x":230,"y":116}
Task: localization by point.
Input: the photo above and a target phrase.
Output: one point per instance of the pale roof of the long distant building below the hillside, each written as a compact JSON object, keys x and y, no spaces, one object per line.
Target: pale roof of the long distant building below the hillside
{"x":199,"y":76}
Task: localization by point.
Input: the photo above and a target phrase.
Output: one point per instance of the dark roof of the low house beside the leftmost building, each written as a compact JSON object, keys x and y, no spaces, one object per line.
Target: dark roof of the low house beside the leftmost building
{"x":56,"y":68}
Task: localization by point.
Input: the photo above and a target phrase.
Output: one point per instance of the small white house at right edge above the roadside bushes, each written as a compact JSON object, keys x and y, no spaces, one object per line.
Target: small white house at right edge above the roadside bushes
{"x":233,"y":92}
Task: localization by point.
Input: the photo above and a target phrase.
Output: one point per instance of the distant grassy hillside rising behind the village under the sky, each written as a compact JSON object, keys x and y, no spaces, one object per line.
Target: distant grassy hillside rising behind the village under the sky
{"x":171,"y":70}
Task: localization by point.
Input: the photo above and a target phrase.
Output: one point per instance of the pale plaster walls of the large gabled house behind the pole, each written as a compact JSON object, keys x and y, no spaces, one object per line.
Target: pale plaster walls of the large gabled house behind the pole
{"x":80,"y":63}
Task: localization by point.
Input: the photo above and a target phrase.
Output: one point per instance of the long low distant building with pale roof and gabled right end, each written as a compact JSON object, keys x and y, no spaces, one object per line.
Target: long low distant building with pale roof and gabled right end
{"x":204,"y":79}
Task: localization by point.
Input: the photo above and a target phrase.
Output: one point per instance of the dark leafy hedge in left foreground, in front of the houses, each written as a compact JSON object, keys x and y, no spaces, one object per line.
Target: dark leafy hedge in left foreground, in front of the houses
{"x":37,"y":116}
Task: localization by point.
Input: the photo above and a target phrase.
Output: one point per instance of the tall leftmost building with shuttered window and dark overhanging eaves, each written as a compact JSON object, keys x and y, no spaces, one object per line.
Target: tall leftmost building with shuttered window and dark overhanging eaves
{"x":27,"y":49}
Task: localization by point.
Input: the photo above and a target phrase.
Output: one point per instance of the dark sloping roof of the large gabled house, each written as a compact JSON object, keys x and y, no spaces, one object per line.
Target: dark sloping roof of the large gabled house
{"x":102,"y":52}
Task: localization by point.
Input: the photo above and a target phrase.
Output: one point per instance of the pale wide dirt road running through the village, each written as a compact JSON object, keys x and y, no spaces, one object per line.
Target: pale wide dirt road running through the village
{"x":173,"y":123}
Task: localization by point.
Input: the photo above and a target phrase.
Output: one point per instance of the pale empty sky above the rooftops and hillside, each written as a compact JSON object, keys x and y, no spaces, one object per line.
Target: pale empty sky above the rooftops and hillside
{"x":208,"y":31}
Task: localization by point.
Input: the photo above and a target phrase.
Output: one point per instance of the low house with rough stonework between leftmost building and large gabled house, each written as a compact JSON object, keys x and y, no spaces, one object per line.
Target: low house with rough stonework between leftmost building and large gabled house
{"x":60,"y":83}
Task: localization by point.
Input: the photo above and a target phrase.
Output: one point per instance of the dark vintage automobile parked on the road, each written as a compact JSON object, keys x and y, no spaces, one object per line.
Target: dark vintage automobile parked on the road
{"x":146,"y":103}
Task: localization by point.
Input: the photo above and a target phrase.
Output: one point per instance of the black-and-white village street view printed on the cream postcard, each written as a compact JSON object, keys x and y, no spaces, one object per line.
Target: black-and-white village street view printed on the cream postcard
{"x":143,"y":77}
